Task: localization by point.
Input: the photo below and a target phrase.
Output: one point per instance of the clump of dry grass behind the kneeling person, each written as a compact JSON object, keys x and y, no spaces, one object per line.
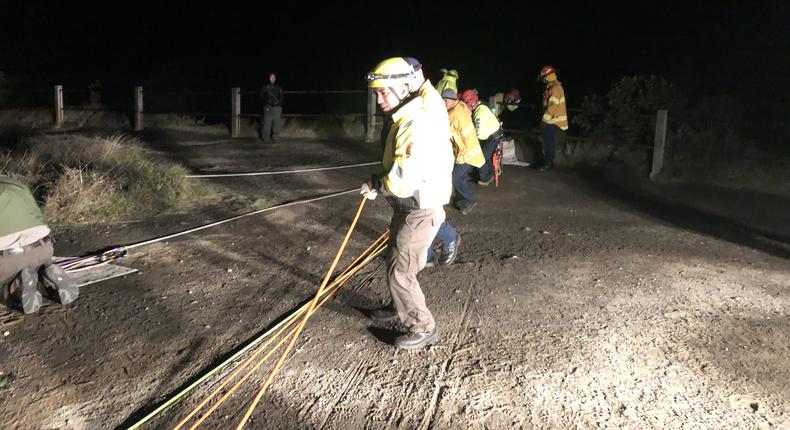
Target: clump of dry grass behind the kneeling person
{"x":84,"y":179}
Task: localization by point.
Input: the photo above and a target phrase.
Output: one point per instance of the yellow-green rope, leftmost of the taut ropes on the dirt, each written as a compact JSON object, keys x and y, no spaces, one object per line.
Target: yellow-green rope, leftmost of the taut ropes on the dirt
{"x":341,"y":279}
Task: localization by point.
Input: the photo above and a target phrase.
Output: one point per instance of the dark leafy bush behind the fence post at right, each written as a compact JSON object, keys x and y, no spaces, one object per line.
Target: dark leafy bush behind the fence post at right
{"x":627,"y":115}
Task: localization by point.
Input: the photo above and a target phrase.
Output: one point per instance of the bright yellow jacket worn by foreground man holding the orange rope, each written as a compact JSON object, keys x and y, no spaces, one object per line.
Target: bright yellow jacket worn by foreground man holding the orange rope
{"x":418,"y":156}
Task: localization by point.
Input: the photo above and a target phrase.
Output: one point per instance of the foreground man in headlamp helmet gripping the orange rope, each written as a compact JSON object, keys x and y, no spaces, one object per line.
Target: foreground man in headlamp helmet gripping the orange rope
{"x":417,"y":182}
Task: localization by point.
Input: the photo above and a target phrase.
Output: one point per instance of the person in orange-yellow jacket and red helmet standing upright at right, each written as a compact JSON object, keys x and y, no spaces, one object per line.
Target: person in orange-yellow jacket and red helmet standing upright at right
{"x":555,"y":115}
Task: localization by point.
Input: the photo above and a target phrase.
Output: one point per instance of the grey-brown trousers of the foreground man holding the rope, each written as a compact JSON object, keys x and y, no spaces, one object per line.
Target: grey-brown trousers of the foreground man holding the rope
{"x":411,"y":233}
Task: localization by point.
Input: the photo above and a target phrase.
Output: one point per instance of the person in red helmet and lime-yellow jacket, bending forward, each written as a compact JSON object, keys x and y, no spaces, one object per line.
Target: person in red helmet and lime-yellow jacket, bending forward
{"x":489,"y":133}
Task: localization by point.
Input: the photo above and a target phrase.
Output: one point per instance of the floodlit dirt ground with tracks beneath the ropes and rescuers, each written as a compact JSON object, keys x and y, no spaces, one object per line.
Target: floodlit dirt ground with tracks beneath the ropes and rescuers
{"x":573,"y":305}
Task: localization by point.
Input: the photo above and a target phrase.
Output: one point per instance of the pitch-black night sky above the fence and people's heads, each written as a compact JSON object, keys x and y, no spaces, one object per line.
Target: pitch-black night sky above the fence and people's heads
{"x":707,"y":47}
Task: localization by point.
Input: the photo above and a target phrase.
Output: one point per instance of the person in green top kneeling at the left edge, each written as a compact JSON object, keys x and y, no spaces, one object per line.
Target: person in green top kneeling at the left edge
{"x":26,"y":269}
